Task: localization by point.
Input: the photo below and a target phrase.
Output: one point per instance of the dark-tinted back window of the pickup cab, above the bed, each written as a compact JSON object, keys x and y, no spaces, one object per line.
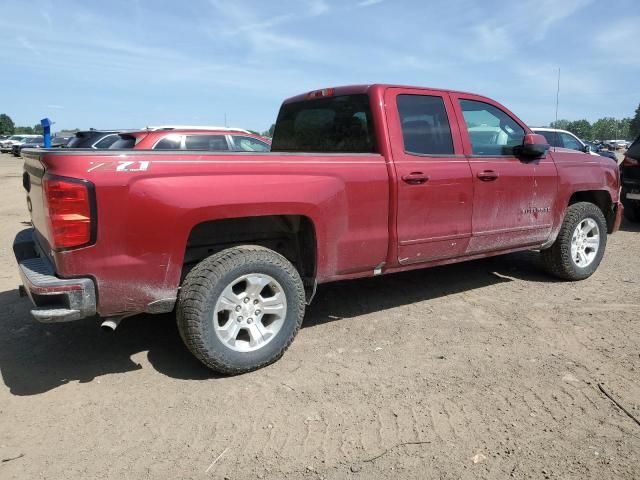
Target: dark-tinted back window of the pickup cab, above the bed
{"x":340,"y":124}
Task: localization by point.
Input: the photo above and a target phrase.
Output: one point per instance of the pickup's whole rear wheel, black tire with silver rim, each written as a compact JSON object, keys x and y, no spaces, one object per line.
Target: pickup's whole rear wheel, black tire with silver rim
{"x":240,"y":309}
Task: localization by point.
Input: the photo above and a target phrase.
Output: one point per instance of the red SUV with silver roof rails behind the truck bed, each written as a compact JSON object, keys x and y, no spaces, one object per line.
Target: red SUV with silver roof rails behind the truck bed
{"x":212,"y":139}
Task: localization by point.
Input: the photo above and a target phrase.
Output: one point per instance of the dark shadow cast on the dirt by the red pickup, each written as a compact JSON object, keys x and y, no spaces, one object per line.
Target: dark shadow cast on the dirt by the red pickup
{"x":36,"y":358}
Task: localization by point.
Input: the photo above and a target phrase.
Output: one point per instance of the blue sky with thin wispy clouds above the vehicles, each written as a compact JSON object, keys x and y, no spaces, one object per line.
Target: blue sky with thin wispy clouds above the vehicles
{"x":128,"y":64}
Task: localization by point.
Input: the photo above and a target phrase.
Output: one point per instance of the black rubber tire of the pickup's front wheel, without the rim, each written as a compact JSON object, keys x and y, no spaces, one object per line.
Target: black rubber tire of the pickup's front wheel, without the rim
{"x":557,"y":259}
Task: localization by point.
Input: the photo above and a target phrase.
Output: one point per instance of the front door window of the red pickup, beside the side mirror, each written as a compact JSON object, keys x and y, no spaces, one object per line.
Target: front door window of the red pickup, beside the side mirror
{"x":491,"y":131}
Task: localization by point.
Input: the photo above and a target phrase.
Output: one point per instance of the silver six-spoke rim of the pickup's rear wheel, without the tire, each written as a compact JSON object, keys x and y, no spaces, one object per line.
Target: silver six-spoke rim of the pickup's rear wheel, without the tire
{"x":250,"y":312}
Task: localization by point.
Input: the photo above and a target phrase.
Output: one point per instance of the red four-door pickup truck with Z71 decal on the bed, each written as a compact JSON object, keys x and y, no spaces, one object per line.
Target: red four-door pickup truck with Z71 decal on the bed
{"x":360,"y":181}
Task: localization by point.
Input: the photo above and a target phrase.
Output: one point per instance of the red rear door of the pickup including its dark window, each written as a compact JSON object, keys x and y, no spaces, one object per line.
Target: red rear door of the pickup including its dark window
{"x":434,"y":186}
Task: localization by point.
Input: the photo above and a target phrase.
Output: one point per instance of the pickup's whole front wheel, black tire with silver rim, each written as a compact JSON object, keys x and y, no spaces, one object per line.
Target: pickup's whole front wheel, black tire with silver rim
{"x":580,"y":245}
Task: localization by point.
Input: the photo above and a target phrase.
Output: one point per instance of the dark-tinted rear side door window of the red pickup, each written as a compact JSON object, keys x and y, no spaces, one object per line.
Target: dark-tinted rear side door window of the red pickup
{"x":425,"y":126}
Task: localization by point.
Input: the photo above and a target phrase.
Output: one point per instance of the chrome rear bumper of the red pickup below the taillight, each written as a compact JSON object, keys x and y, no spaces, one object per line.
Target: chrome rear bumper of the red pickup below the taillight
{"x":55,"y":299}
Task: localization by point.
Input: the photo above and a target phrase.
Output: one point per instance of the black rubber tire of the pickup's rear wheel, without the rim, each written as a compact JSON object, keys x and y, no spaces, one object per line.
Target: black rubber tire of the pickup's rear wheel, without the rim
{"x":203,"y":286}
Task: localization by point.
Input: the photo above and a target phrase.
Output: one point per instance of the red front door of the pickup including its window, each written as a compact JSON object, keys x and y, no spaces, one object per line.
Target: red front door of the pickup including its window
{"x":513,"y":197}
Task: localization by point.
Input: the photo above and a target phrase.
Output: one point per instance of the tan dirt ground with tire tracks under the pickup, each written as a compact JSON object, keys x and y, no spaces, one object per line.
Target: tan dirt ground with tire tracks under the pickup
{"x":488,"y":369}
